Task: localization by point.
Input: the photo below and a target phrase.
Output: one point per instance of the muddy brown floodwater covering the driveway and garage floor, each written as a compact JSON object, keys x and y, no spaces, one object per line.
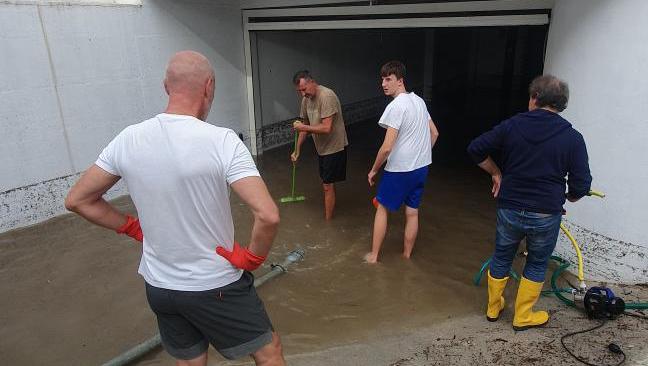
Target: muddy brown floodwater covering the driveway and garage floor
{"x":71,"y":293}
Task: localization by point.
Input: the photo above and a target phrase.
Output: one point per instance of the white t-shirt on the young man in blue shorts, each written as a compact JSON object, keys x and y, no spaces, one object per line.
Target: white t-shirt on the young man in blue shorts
{"x":413,"y":147}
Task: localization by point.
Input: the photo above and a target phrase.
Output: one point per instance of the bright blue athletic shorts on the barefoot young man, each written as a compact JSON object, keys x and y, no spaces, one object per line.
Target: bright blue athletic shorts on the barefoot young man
{"x":397,"y":188}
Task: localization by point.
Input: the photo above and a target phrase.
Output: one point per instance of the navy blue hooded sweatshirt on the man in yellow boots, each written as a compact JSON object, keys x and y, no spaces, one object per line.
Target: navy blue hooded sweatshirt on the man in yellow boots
{"x":538,"y":150}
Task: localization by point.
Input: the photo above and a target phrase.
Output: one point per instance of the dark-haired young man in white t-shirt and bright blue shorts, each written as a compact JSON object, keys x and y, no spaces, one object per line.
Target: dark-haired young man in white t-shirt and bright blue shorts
{"x":407,"y":148}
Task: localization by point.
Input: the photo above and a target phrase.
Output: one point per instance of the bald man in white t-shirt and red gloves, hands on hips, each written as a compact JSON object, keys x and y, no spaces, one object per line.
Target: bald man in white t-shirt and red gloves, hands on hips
{"x":178,"y":170}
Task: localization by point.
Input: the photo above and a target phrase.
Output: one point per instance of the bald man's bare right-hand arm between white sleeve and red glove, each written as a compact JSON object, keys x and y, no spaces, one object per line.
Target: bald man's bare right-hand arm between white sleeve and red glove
{"x":254,"y":193}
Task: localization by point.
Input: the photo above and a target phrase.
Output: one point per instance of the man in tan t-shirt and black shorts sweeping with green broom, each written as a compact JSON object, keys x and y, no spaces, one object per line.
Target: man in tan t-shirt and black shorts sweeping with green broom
{"x":321,"y":115}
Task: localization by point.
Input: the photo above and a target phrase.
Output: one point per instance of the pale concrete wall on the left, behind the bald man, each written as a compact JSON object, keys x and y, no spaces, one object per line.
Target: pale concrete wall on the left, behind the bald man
{"x":72,"y":77}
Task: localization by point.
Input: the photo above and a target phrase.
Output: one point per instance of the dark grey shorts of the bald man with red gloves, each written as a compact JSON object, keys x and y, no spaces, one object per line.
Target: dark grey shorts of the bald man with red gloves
{"x":232,"y":318}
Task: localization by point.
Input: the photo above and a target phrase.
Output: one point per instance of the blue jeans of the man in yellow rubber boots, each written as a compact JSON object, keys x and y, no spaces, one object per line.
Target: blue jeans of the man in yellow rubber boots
{"x":541,"y":232}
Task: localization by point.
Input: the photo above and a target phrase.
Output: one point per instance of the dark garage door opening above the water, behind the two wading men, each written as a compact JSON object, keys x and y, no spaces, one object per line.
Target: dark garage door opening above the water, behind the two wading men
{"x":471,"y":78}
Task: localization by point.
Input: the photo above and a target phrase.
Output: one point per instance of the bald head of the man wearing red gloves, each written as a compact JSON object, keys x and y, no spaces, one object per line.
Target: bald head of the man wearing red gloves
{"x":187,"y":73}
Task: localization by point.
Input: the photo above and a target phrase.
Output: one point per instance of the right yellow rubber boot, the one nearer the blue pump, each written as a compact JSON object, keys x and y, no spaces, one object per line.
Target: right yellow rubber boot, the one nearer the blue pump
{"x":525,"y":317}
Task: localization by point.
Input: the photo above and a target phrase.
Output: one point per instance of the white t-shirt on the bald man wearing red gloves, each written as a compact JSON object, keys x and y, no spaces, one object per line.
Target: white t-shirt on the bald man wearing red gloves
{"x":177,"y":169}
